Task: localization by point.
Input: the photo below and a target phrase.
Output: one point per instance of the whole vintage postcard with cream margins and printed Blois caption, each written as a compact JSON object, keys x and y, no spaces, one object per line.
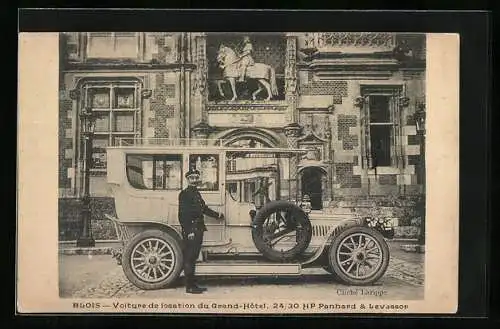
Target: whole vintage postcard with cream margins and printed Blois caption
{"x":238,"y":172}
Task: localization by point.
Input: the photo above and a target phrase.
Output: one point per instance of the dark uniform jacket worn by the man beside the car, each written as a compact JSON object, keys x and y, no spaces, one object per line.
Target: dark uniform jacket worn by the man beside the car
{"x":192,"y":207}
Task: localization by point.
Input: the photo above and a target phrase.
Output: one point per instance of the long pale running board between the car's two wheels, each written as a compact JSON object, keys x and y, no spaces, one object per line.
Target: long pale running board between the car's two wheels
{"x":247,"y":269}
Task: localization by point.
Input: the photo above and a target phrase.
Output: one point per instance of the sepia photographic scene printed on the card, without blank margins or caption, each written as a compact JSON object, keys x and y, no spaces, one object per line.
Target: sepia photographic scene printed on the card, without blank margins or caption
{"x":230,"y":163}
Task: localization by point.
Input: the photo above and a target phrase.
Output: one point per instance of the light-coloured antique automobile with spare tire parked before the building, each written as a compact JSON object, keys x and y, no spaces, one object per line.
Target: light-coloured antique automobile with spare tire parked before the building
{"x":268,"y":229}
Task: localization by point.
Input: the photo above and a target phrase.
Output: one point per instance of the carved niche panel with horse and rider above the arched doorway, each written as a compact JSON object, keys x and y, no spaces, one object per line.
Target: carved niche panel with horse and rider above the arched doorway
{"x":245,"y":67}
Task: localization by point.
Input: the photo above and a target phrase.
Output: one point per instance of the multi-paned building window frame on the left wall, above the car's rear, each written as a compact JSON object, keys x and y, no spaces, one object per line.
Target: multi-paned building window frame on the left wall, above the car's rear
{"x":111,"y":113}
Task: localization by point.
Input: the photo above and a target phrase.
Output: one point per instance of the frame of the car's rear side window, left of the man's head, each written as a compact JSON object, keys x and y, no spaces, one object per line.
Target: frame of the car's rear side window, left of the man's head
{"x":154,"y":159}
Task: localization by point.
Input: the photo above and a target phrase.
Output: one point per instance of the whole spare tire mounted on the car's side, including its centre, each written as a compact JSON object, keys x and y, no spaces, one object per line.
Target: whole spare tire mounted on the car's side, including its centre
{"x":273,"y":223}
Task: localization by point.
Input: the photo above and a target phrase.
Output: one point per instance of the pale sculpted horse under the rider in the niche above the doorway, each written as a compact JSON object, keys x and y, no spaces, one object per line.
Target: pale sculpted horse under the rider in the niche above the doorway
{"x":265,"y":75}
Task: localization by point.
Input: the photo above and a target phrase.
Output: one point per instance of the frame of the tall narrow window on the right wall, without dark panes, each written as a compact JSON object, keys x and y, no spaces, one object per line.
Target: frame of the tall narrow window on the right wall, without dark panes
{"x":393,"y":92}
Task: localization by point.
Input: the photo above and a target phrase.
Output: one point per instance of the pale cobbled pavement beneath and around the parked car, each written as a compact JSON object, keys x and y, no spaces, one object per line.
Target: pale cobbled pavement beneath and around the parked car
{"x":84,"y":274}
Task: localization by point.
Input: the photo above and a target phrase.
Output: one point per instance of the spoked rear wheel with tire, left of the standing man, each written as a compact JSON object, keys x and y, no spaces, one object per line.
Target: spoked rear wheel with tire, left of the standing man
{"x":167,"y":265}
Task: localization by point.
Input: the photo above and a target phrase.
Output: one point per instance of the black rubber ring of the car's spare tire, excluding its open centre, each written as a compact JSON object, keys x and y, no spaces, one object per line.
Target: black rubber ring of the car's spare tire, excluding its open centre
{"x":297,"y":218}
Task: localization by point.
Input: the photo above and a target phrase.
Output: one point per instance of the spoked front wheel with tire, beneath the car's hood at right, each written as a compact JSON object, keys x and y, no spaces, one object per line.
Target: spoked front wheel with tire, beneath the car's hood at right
{"x":348,"y":254}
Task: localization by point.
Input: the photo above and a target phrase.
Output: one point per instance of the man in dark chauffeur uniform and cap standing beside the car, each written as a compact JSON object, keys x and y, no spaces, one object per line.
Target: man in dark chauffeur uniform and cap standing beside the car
{"x":192,"y":207}
